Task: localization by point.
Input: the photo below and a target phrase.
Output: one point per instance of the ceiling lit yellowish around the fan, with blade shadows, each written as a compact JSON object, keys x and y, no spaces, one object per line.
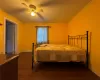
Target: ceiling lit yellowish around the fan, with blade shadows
{"x":53,"y":10}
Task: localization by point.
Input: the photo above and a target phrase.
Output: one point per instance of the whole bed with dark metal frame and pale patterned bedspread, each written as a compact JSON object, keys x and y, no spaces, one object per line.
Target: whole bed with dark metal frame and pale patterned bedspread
{"x":62,"y":52}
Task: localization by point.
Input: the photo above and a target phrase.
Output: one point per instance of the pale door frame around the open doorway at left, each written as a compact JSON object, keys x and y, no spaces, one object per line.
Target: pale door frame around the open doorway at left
{"x":15,"y":42}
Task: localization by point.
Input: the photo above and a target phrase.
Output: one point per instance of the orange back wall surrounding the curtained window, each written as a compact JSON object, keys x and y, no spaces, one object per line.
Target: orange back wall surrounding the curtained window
{"x":57,"y":34}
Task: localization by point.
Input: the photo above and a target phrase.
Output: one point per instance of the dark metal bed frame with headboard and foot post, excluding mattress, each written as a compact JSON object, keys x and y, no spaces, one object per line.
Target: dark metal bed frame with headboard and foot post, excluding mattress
{"x":71,"y":41}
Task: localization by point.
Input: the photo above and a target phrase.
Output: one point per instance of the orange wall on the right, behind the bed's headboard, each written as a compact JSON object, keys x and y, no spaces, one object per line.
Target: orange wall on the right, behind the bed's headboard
{"x":89,"y":19}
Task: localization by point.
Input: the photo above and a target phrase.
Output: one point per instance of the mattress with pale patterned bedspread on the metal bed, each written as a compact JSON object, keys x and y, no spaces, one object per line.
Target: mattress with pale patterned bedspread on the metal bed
{"x":59,"y":53}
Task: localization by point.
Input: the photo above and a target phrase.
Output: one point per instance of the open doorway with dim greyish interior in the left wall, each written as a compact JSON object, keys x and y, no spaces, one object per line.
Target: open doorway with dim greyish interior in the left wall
{"x":10,"y":37}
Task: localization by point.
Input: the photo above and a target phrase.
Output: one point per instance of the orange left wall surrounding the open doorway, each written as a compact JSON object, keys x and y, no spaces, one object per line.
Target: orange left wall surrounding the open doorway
{"x":3,"y":16}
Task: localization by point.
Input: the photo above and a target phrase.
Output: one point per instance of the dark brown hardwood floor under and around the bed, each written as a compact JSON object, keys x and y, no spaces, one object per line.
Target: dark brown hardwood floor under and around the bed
{"x":53,"y":71}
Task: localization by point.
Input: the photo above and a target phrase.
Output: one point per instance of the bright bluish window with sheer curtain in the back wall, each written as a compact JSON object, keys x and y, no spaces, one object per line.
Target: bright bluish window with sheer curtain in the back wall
{"x":42,"y":35}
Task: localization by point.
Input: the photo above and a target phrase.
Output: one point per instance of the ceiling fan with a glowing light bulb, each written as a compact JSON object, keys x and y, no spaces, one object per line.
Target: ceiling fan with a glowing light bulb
{"x":33,"y":9}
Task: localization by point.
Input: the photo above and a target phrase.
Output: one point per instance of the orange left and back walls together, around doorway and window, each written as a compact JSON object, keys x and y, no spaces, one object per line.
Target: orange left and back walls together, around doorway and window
{"x":26,"y":33}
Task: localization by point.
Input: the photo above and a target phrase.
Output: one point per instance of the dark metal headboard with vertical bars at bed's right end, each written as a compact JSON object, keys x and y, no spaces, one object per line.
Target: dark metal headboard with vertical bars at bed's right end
{"x":74,"y":41}
